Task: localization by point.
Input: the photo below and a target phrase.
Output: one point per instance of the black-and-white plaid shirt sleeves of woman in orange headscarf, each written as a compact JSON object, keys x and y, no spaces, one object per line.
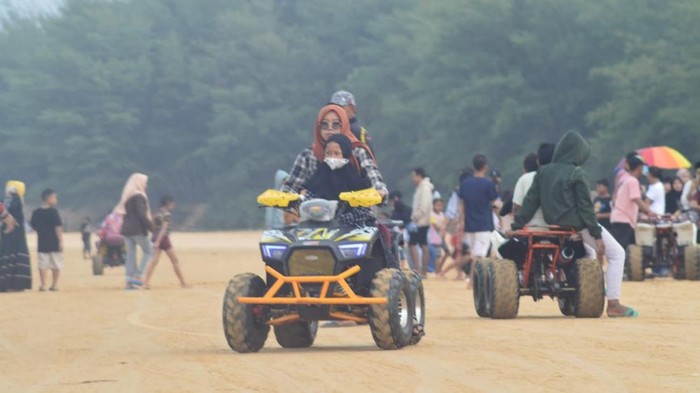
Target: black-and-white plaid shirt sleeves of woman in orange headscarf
{"x":306,"y":163}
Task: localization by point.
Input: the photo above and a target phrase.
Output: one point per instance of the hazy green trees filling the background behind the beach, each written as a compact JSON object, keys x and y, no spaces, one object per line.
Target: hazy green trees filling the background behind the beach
{"x":210,"y":98}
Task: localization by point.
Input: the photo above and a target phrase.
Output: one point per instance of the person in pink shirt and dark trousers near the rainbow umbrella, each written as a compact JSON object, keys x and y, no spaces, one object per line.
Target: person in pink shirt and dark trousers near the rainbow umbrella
{"x":628,"y":201}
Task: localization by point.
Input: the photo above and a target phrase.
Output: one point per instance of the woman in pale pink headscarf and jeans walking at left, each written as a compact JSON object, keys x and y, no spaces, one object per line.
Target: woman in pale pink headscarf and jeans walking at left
{"x":134,"y":207}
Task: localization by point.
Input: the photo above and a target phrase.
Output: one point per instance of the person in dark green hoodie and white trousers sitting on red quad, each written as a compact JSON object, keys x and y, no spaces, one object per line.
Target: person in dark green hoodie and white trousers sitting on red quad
{"x":562,"y":189}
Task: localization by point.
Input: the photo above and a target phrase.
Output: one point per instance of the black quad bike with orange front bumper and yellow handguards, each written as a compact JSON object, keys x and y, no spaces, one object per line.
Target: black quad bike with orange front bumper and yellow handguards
{"x":321,"y":270}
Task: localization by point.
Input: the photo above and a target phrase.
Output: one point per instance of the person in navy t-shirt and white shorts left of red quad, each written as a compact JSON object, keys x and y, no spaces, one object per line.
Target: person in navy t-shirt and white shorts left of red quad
{"x":479,"y":196}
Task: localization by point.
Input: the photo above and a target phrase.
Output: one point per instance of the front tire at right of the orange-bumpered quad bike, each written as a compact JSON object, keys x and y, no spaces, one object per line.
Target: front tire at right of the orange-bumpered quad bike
{"x":392,"y":323}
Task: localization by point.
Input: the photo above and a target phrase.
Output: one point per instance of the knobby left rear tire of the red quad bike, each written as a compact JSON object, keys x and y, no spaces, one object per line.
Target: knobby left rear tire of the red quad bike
{"x":503,"y":289}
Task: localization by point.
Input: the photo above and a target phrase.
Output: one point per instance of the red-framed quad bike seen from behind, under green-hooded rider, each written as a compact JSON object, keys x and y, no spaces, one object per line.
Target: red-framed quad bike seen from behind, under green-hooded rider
{"x":540,"y":263}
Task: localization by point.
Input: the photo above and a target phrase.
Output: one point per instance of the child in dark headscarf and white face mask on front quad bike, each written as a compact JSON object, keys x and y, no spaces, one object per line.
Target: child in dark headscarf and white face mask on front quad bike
{"x":339,"y":172}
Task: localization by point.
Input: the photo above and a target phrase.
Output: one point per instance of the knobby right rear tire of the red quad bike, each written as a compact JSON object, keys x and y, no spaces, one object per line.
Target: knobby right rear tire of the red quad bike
{"x":589,"y":299}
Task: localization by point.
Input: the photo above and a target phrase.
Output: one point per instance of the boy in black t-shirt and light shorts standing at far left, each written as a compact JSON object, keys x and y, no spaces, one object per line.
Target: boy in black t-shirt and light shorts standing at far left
{"x":46,"y":221}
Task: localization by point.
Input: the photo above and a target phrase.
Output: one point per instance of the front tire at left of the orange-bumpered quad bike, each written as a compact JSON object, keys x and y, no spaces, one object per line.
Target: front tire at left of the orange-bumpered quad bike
{"x":243,"y":330}
